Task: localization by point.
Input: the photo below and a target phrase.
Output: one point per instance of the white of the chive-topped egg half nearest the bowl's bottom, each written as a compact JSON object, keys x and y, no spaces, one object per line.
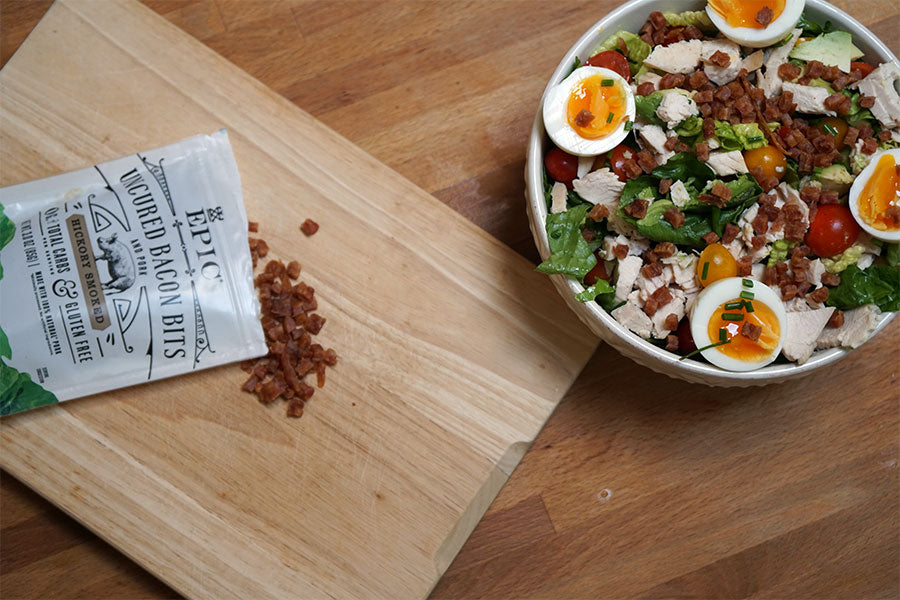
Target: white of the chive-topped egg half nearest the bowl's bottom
{"x":709,"y":302}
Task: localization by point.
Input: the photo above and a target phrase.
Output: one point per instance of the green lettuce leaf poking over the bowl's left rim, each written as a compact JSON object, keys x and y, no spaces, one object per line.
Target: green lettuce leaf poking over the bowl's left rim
{"x":570,"y":254}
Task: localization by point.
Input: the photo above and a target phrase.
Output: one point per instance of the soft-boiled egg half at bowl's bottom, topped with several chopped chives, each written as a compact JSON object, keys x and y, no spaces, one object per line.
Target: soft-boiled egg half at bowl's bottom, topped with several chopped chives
{"x":738,"y":324}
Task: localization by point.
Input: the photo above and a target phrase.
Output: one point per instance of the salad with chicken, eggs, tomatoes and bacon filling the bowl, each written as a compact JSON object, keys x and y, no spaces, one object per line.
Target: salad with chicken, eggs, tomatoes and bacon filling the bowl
{"x":726,"y":183}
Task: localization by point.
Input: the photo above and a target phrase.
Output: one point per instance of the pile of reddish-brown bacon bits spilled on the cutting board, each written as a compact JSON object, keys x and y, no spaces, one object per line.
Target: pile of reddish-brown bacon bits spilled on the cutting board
{"x":289,"y":324}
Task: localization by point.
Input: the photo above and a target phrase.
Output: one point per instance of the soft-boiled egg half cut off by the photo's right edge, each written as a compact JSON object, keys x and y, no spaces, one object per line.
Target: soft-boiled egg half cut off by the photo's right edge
{"x":875,"y":196}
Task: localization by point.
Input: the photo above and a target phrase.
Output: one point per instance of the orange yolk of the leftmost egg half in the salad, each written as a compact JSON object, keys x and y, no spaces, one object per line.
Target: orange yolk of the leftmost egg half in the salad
{"x":596,"y":107}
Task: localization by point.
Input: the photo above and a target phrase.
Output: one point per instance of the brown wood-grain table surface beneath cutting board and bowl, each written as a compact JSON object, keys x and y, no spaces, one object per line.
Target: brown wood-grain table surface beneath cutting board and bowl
{"x":639,"y":485}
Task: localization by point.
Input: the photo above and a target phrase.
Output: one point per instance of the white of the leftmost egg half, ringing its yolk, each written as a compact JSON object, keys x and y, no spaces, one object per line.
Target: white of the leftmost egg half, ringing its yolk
{"x":557,"y":124}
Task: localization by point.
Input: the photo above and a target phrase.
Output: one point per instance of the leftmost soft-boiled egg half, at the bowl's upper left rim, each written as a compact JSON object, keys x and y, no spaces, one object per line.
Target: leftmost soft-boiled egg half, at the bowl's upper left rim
{"x":585,"y":114}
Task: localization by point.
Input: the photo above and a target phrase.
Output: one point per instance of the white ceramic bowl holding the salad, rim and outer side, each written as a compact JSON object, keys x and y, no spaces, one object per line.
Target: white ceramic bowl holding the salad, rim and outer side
{"x":630,"y":17}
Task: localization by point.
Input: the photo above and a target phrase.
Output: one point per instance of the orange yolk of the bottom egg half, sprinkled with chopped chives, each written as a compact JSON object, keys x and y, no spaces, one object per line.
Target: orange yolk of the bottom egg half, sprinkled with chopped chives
{"x":742,"y":347}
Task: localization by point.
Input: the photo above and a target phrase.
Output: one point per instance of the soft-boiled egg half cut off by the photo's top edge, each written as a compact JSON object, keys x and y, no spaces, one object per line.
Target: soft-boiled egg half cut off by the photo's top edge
{"x":755,"y":23}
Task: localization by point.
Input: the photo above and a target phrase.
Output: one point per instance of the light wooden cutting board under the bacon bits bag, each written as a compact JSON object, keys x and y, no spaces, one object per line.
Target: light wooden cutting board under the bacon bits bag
{"x":453,"y":351}
